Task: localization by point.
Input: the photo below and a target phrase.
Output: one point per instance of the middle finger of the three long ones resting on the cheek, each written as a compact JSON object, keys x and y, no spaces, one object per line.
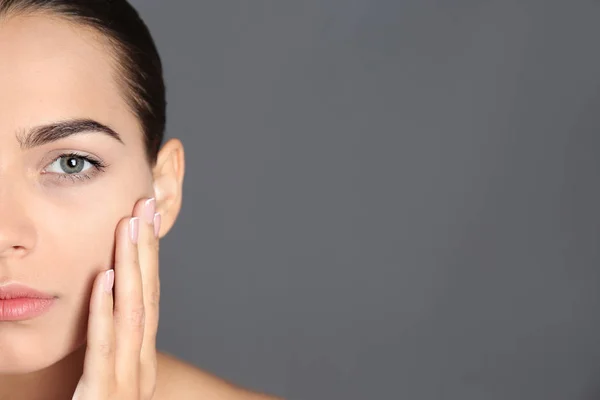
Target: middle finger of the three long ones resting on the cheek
{"x":129,"y":303}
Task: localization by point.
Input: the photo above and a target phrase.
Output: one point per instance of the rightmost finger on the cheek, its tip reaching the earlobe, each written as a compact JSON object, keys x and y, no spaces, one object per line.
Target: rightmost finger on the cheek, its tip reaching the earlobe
{"x":148,"y":246}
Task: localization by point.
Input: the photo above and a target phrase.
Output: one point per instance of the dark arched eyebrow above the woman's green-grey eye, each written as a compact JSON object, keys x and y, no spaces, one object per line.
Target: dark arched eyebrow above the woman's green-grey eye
{"x":44,"y":134}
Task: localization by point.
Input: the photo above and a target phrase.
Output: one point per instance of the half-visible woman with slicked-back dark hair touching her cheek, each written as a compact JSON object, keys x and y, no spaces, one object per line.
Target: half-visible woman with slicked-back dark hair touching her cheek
{"x":86,"y":192}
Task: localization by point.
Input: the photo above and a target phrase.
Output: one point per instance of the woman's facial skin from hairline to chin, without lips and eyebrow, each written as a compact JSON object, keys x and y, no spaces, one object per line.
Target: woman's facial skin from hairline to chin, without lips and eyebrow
{"x":58,"y":215}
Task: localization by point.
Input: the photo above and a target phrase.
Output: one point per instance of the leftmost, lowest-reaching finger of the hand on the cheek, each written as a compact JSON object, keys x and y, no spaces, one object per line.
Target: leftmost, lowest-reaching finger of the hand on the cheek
{"x":99,"y":364}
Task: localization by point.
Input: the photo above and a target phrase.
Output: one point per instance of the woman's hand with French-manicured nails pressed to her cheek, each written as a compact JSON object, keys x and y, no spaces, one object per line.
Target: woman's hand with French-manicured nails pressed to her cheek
{"x":120,"y":357}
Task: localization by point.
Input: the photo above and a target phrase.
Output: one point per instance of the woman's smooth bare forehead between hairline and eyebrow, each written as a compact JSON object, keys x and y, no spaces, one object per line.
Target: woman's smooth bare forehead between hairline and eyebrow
{"x":51,"y":69}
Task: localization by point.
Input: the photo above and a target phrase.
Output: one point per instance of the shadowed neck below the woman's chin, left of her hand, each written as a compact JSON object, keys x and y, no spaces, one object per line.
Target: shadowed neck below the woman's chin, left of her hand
{"x":42,"y":384}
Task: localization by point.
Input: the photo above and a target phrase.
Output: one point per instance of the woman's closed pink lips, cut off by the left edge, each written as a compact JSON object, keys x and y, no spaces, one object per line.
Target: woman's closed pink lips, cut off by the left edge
{"x":20,"y":302}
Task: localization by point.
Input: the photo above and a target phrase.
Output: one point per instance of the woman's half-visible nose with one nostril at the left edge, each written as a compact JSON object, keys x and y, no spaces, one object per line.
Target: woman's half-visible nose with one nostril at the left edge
{"x":17,"y":233}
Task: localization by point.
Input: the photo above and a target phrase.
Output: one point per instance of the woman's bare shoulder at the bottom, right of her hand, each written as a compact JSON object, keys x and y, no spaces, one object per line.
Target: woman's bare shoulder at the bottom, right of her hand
{"x":177,"y":379}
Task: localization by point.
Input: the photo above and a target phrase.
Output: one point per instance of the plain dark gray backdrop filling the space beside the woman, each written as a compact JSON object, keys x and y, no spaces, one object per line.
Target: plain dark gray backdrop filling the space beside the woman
{"x":386,"y":199}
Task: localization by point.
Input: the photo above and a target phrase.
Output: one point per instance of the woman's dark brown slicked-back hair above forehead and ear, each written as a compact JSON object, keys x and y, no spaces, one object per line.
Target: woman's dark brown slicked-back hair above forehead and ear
{"x":139,"y":68}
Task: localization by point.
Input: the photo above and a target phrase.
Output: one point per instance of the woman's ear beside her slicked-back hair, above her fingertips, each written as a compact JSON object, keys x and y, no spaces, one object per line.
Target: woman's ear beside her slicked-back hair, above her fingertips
{"x":168,"y":183}
